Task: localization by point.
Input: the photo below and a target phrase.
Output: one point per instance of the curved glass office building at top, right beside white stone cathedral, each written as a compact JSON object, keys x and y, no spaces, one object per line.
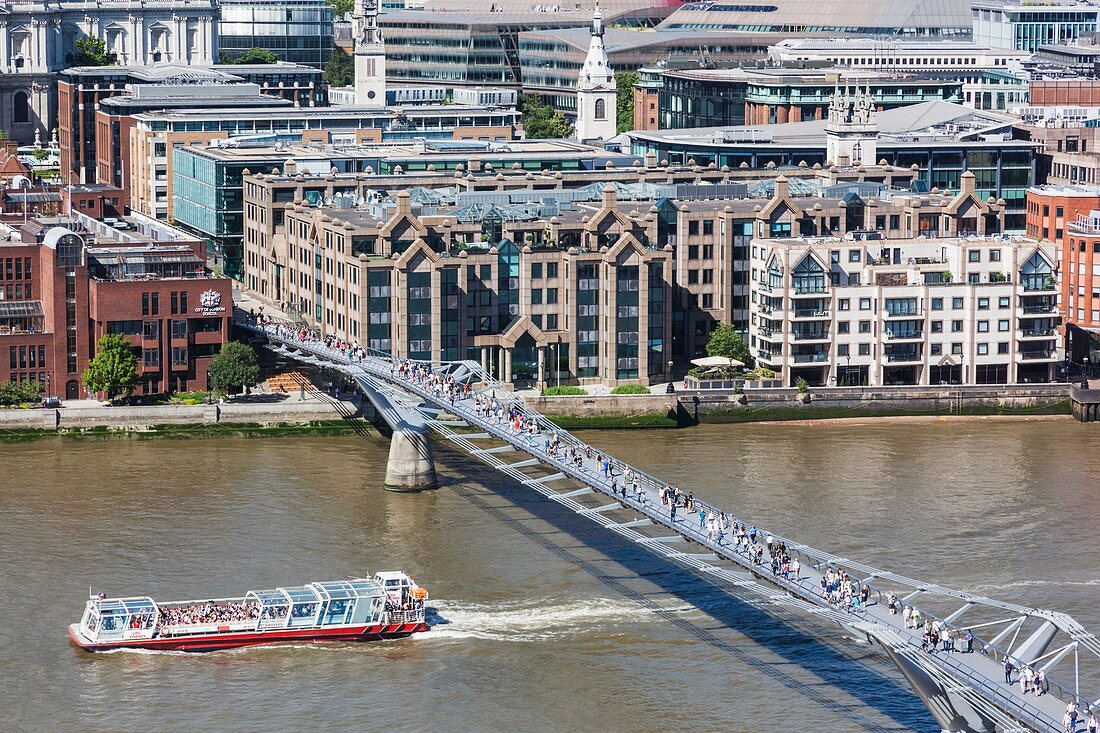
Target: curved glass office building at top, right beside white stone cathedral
{"x":296,"y":31}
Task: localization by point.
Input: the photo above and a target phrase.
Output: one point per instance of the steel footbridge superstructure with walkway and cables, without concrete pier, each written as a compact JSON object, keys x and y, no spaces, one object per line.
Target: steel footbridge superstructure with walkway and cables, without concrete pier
{"x":966,"y":691}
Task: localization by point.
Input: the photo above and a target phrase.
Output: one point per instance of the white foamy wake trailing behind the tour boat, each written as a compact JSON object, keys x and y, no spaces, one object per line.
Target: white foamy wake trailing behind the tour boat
{"x":533,"y":621}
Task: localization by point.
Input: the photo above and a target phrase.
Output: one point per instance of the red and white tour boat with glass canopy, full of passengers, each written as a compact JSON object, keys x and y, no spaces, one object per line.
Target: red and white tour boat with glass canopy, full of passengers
{"x":390,"y":606}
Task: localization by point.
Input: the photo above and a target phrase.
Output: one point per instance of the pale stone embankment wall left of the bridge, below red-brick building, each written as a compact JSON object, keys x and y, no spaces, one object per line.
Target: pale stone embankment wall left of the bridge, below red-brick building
{"x":145,"y":419}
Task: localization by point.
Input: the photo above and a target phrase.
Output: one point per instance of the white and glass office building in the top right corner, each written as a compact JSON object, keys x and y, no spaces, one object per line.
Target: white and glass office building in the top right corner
{"x":1027,"y":26}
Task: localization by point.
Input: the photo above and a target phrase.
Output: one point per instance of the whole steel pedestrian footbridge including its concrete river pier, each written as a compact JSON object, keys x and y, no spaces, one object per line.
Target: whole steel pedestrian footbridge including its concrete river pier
{"x":964,"y":692}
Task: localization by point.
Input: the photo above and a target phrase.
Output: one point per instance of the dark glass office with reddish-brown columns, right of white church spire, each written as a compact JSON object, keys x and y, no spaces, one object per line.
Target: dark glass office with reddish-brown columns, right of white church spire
{"x":699,"y":99}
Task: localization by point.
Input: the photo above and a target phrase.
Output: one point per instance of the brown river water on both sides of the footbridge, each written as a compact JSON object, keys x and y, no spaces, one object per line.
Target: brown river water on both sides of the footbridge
{"x":548,"y":623}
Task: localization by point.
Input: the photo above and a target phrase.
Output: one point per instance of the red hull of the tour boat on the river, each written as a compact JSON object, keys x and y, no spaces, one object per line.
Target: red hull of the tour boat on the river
{"x":233,"y":640}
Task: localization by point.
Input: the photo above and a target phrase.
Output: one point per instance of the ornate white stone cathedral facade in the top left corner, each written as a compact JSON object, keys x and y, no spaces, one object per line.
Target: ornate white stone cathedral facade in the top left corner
{"x":38,"y":40}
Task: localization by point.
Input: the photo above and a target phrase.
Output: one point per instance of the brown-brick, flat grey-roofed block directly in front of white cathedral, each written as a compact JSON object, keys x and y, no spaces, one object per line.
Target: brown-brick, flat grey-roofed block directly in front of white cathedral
{"x":84,"y":92}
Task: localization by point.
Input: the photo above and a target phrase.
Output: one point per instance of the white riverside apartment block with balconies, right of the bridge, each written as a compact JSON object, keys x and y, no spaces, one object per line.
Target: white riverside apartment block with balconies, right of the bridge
{"x":905,"y":312}
